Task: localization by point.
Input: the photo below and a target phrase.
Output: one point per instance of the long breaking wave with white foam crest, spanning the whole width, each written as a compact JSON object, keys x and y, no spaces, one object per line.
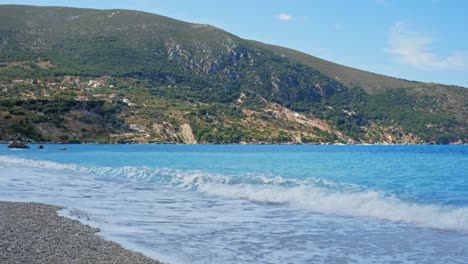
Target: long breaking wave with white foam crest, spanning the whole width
{"x":316,"y":195}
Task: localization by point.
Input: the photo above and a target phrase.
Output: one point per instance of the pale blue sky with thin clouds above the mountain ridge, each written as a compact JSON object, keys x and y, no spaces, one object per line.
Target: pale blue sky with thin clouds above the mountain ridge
{"x":415,"y":40}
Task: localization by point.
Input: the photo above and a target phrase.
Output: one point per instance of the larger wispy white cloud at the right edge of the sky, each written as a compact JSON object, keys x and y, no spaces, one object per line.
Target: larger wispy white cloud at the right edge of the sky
{"x":414,"y":49}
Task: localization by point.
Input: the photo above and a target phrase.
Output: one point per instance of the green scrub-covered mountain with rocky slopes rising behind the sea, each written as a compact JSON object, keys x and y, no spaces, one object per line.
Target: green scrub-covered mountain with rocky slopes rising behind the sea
{"x":84,"y":75}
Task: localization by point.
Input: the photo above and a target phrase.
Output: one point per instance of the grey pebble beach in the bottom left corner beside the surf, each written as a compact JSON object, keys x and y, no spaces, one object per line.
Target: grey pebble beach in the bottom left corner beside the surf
{"x":35,"y":233}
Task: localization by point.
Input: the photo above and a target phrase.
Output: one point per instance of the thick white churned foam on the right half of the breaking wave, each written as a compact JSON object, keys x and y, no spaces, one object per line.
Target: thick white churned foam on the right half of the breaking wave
{"x":359,"y":204}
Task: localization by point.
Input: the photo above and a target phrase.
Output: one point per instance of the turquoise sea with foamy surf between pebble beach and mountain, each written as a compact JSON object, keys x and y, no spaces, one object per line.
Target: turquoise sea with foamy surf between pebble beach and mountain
{"x":256,"y":203}
